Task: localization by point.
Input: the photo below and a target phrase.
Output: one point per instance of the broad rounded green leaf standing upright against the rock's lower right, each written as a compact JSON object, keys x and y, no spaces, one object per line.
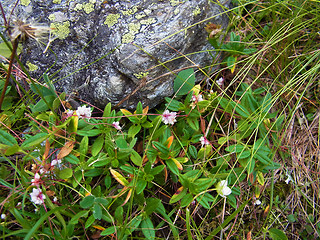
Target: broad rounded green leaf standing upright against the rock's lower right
{"x":184,"y":82}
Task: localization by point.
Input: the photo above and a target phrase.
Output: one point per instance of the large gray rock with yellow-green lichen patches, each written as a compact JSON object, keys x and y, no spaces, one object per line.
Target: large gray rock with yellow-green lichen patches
{"x":104,"y":48}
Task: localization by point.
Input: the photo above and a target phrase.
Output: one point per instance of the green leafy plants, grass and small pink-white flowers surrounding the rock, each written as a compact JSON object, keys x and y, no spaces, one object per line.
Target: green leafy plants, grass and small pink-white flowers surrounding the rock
{"x":234,"y":155}
